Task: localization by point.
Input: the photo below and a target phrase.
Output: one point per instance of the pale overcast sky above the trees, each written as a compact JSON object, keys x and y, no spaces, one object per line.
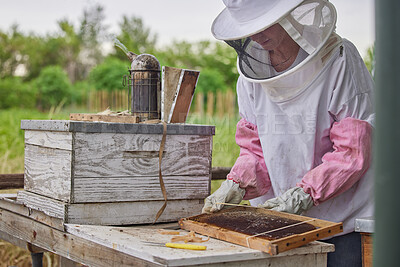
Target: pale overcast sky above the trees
{"x":187,"y":20}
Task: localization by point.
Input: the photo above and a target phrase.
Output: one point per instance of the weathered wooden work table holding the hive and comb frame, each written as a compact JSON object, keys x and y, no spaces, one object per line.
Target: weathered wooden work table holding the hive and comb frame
{"x":94,"y":245}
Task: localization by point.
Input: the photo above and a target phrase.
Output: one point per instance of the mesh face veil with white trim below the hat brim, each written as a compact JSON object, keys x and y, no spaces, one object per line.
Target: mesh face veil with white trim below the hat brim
{"x":311,"y":26}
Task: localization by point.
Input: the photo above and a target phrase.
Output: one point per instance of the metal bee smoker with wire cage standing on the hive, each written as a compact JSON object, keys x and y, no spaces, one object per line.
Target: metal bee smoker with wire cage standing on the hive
{"x":145,"y":87}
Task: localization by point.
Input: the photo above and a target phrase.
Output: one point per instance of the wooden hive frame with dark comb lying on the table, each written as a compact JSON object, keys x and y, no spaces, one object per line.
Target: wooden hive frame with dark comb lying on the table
{"x":261,"y":229}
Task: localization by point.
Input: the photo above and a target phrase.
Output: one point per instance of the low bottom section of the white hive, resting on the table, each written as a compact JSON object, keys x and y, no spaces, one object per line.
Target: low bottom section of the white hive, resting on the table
{"x":111,"y":213}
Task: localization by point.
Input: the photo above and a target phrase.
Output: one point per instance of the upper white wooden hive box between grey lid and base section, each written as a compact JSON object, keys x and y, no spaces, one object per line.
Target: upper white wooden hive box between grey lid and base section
{"x":107,"y":167}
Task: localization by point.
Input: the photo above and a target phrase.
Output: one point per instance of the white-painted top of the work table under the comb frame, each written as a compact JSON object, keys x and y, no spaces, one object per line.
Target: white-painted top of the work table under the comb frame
{"x":131,"y":241}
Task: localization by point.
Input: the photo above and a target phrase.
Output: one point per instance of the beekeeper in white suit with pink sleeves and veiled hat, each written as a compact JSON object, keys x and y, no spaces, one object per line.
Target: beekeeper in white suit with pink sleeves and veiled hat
{"x":306,"y":104}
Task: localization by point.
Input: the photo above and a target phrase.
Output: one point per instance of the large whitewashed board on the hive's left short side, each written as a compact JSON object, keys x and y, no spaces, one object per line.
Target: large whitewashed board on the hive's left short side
{"x":48,"y":171}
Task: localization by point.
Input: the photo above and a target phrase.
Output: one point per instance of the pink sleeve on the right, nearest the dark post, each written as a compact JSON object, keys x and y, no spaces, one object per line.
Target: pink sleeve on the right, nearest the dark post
{"x":345,"y":165}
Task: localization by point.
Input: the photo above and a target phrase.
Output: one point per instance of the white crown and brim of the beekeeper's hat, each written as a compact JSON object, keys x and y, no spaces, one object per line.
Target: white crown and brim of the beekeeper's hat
{"x":243,"y":18}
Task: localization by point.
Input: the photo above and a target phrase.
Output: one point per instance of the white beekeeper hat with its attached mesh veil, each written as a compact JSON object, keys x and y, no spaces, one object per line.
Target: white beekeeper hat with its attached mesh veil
{"x":309,"y":23}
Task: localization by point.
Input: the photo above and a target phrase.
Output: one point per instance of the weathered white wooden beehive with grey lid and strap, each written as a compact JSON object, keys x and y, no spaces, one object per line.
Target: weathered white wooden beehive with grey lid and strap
{"x":78,"y":166}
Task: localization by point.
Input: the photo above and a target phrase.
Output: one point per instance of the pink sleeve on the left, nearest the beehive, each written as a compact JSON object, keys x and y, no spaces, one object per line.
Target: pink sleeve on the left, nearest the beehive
{"x":250,"y":170}
